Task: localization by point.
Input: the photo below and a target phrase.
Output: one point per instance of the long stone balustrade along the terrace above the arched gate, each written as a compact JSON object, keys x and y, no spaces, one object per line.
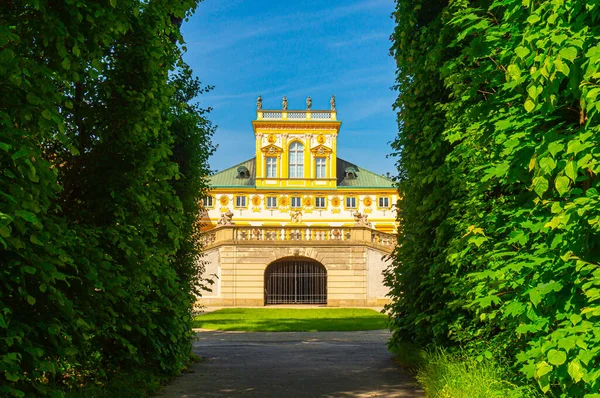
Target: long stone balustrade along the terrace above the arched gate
{"x":298,"y":235}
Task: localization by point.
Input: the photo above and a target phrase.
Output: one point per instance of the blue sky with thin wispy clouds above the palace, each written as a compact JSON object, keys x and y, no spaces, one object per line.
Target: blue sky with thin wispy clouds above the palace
{"x":298,"y":49}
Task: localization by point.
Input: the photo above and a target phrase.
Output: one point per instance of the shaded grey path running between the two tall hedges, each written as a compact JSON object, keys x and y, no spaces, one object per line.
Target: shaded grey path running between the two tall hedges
{"x":290,"y":365}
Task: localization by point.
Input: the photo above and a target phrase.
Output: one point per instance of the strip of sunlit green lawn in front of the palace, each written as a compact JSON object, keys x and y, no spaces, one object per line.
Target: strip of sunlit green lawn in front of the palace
{"x":292,"y":319}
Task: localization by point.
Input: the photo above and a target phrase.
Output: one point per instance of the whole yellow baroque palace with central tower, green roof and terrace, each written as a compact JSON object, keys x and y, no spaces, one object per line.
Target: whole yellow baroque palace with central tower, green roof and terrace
{"x":296,"y":224}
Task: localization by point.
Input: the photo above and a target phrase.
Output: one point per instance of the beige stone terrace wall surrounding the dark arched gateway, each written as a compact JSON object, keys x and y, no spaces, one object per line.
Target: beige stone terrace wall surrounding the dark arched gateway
{"x":353,"y":273}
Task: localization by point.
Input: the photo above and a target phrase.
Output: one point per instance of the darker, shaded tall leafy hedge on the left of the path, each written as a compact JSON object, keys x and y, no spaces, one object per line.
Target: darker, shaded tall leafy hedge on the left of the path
{"x":103,"y":161}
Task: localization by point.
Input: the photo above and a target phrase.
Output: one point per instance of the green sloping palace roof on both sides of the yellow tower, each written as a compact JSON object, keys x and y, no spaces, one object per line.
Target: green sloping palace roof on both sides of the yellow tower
{"x":230,"y":178}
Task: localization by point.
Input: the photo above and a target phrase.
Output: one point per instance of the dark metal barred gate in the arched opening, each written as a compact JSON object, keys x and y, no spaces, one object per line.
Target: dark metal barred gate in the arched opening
{"x":300,"y":281}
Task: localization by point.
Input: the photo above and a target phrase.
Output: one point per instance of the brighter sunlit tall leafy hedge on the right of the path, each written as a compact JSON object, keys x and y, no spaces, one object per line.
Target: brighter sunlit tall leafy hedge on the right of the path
{"x":499,"y":149}
